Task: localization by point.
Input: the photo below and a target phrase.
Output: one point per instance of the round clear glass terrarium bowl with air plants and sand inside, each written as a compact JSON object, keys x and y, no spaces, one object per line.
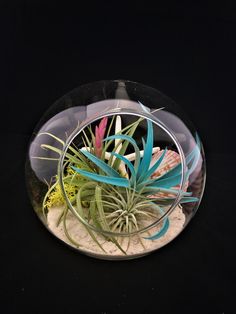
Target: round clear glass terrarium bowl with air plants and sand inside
{"x":115,"y":169}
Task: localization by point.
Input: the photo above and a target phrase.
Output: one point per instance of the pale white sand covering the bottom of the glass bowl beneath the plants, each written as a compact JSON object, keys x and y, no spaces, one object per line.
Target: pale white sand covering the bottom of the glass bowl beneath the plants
{"x":87,"y":245}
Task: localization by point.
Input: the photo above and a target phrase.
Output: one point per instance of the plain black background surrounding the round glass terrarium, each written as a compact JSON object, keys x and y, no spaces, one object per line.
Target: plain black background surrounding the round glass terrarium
{"x":185,"y":50}
